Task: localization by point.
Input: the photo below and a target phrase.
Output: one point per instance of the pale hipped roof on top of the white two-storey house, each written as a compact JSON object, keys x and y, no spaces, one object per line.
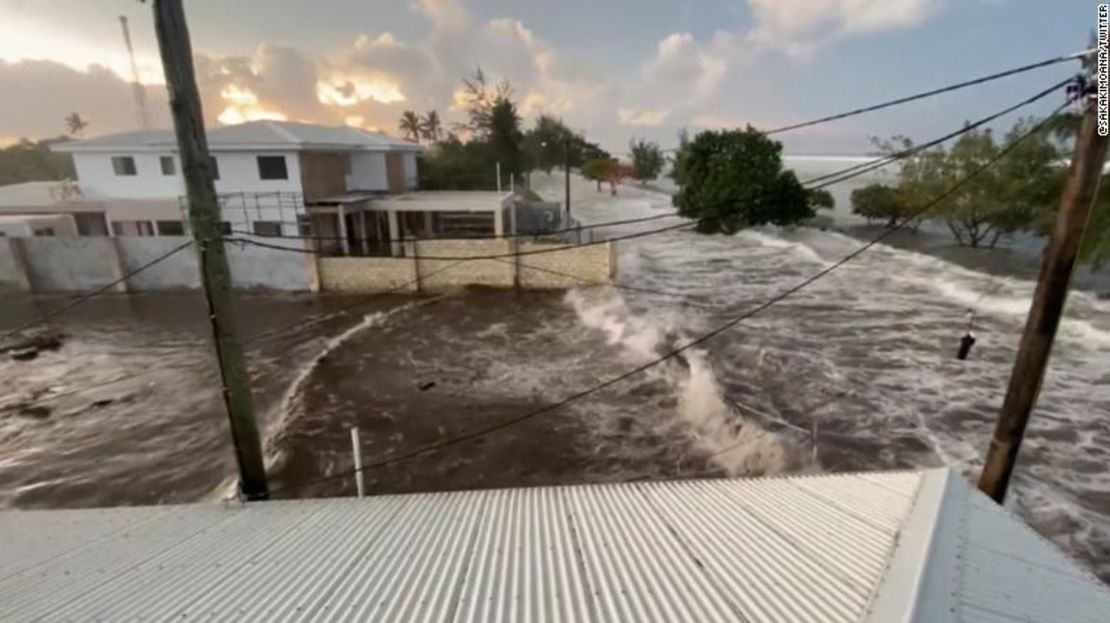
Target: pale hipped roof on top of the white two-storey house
{"x":253,"y":136}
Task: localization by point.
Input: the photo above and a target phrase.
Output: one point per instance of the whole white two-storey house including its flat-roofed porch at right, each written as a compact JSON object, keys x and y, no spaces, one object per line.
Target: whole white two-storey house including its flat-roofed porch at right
{"x":349,"y":190}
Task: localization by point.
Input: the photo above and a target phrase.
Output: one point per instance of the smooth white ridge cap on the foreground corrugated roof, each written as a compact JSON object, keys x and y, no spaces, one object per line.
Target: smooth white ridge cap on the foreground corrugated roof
{"x":899,"y":595}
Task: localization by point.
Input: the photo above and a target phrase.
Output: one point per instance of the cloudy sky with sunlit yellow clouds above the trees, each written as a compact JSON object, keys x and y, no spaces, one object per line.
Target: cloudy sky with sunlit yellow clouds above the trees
{"x":614,"y":69}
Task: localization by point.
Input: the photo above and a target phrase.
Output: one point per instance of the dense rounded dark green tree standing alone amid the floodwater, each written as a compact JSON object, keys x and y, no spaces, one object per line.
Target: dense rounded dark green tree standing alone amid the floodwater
{"x":734,"y":179}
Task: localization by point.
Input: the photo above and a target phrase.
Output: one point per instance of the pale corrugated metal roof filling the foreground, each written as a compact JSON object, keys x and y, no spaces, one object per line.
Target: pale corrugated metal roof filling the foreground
{"x":885,"y":547}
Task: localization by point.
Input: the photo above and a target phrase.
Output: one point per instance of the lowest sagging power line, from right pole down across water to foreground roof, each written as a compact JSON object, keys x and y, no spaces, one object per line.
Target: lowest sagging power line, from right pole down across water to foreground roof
{"x":705,"y":337}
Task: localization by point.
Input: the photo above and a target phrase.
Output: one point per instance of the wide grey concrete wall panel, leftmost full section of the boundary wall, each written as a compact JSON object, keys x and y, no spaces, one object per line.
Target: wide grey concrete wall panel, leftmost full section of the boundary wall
{"x":69,"y":265}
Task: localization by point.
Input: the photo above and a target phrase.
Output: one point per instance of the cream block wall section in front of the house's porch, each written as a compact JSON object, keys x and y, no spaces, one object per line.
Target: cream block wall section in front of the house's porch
{"x":562,"y":269}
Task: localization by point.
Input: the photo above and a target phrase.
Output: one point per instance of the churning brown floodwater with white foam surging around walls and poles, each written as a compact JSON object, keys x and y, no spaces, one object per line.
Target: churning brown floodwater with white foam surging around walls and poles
{"x":857,"y":373}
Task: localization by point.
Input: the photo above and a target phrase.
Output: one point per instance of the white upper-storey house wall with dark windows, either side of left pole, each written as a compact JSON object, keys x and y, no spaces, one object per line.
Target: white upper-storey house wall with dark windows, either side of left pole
{"x":239,"y":173}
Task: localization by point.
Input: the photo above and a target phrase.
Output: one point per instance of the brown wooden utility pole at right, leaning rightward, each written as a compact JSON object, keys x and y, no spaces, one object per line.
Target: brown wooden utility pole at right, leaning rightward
{"x":1079,"y":194}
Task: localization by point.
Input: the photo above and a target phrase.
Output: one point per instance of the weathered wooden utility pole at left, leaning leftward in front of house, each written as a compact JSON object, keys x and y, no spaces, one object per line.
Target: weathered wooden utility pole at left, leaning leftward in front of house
{"x":205,"y":220}
